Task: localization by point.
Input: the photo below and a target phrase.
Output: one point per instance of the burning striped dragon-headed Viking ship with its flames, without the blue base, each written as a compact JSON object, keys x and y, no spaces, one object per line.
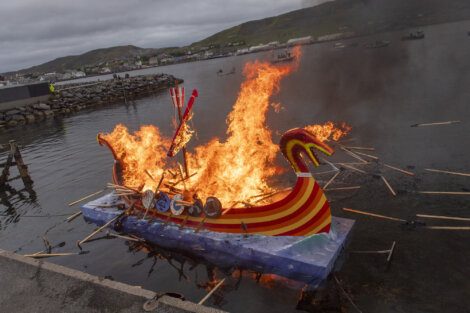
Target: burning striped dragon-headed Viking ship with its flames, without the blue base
{"x":303,"y":211}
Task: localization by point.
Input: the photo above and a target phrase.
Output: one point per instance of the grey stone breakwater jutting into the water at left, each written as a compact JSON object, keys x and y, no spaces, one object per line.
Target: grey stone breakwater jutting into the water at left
{"x":71,"y":98}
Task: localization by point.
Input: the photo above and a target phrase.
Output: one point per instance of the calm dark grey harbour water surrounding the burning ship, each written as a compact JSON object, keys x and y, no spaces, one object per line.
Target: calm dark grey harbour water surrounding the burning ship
{"x":379,"y":92}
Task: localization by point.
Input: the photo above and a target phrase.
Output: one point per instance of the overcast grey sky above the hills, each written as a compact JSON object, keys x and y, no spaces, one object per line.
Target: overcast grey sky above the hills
{"x":36,"y":31}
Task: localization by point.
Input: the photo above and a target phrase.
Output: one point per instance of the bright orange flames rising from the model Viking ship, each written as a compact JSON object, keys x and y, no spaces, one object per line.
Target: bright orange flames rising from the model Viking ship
{"x":235,"y":169}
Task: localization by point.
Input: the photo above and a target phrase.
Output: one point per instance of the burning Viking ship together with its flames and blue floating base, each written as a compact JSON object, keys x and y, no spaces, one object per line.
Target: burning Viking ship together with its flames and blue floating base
{"x":218,"y":204}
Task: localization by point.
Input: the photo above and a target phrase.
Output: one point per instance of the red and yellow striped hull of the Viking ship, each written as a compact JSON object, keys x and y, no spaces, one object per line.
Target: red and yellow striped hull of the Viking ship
{"x":304,"y":211}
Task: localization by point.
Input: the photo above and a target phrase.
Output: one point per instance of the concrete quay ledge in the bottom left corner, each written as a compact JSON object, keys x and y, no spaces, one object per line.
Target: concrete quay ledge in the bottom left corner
{"x":29,"y":285}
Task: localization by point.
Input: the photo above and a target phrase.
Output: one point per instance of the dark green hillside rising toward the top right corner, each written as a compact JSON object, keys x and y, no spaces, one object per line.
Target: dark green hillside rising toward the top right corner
{"x":358,"y":16}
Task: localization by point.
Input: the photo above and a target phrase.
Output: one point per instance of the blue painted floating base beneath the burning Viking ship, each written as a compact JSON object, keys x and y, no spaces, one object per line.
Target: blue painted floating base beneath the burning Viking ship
{"x":307,"y":259}
